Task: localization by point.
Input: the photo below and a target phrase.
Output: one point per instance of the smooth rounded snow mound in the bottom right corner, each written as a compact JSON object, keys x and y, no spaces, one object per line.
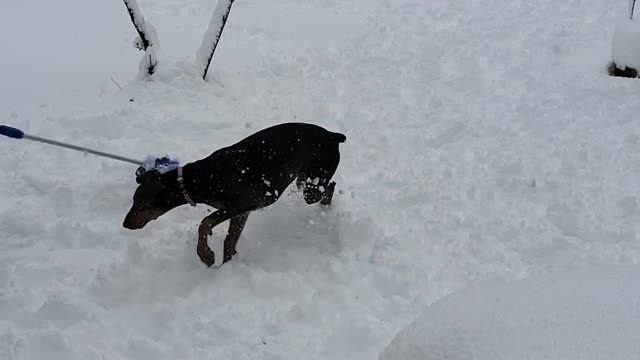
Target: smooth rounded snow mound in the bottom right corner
{"x":587,"y":314}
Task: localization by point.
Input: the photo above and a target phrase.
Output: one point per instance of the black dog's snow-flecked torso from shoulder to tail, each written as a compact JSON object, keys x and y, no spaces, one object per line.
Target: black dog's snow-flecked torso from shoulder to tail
{"x":257,"y":169}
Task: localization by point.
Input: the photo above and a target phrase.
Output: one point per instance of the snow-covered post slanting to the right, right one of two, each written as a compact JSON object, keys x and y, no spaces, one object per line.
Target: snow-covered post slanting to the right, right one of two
{"x":212,"y":36}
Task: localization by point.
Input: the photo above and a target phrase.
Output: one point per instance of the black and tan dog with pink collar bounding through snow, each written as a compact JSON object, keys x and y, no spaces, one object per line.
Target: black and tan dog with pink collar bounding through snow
{"x":236,"y":180}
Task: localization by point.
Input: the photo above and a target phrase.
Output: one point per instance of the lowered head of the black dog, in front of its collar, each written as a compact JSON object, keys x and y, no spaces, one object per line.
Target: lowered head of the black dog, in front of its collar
{"x":151,"y":200}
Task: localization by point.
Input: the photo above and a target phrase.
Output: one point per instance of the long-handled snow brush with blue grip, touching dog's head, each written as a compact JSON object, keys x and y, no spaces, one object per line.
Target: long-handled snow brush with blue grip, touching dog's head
{"x":161,"y":165}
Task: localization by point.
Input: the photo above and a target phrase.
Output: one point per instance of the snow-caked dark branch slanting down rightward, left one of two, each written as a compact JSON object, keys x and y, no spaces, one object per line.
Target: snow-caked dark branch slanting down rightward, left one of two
{"x":147,"y":39}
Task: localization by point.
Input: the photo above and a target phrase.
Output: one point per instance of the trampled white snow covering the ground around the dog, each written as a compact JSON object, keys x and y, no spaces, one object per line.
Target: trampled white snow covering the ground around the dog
{"x":485,"y":140}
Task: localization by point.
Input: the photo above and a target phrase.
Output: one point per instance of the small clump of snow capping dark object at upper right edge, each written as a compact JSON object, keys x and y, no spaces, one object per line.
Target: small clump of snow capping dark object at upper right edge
{"x":625,"y":50}
